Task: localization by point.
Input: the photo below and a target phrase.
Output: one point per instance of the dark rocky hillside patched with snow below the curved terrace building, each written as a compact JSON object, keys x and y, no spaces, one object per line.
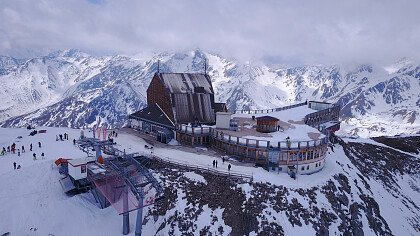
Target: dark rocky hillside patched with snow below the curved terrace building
{"x":346,"y":204}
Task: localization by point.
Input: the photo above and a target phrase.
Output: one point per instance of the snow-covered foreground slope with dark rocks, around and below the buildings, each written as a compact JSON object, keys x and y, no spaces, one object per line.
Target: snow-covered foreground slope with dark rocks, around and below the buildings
{"x":369,"y":192}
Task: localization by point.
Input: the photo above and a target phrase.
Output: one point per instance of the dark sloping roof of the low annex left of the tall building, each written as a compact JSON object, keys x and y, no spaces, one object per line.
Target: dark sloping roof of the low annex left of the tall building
{"x":153,"y":114}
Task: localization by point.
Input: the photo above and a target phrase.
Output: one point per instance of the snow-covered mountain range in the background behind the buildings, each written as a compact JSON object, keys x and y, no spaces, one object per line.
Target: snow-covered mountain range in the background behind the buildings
{"x":72,"y":88}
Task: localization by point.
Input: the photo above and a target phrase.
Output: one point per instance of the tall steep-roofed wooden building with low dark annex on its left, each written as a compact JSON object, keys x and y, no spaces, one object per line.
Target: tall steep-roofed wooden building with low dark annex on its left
{"x":181,"y":98}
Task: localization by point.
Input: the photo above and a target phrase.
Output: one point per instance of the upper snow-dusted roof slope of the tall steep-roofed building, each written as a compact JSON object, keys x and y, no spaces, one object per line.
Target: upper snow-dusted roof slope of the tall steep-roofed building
{"x":186,"y":82}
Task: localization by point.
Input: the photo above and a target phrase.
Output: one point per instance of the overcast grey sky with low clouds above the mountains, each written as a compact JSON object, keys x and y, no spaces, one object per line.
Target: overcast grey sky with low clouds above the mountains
{"x":297,"y":32}
